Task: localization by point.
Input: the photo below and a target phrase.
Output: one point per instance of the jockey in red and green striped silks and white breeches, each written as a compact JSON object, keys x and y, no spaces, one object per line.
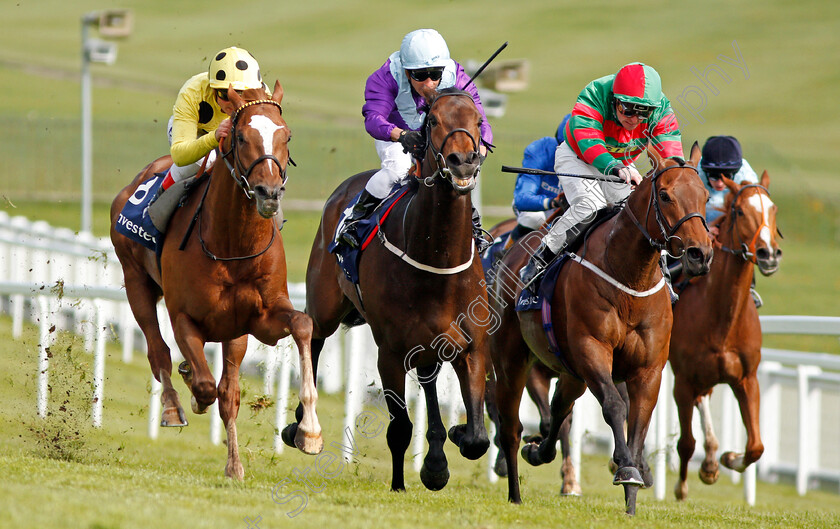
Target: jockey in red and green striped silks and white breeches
{"x":613,"y":120}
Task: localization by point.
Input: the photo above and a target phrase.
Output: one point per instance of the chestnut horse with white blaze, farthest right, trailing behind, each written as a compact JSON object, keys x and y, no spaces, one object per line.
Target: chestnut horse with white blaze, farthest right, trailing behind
{"x":716,"y":338}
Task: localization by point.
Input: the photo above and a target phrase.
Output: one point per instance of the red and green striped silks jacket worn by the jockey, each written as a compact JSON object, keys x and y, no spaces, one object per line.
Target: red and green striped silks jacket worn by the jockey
{"x":596,"y":136}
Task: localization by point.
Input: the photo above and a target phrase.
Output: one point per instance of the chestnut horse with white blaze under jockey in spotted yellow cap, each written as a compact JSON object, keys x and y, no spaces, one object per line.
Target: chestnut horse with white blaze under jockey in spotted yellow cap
{"x":230,"y":279}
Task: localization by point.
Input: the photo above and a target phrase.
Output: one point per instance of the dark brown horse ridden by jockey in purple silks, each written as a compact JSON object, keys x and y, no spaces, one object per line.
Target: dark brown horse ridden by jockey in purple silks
{"x":420,"y":288}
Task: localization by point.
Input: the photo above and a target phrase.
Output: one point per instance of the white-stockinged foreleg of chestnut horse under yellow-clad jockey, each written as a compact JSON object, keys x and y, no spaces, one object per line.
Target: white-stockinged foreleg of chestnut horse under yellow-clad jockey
{"x":307,"y":437}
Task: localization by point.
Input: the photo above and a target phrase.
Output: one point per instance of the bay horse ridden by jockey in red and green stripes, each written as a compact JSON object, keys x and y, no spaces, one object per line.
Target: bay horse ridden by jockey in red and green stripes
{"x":607,"y":329}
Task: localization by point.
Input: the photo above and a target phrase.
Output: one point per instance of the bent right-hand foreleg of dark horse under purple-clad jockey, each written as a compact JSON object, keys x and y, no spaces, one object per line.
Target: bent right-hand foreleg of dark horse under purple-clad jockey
{"x":471,"y":439}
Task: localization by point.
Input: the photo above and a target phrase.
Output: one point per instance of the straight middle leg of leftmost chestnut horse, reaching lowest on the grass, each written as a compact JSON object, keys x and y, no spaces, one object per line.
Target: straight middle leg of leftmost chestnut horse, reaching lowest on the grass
{"x":232,"y":353}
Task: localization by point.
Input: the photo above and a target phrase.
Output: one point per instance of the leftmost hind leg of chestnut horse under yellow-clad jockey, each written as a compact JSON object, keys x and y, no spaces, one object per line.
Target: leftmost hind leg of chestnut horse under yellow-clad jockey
{"x":143,"y":295}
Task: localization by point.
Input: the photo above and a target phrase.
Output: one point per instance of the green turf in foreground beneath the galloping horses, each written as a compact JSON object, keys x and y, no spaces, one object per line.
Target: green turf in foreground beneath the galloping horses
{"x":60,"y":472}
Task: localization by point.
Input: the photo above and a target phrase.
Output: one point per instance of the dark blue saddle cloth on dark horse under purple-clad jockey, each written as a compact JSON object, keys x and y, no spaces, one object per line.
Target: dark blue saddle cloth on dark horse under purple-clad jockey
{"x":365,"y":230}
